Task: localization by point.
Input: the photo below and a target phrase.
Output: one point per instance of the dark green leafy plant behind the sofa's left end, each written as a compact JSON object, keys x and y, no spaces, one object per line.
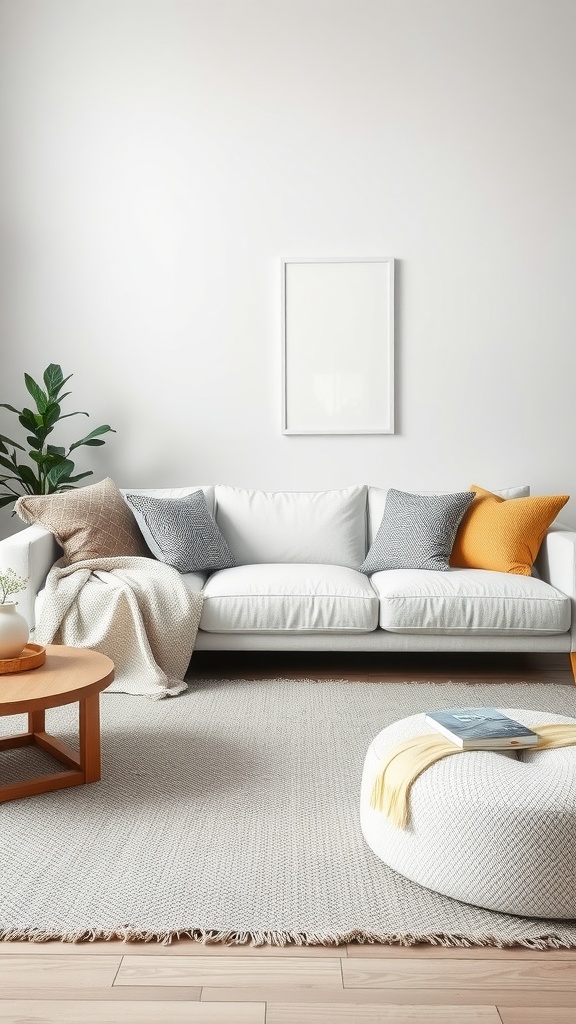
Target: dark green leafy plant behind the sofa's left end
{"x":51,"y":467}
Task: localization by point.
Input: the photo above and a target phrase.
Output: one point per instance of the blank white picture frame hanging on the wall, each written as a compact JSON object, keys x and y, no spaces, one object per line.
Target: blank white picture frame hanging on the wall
{"x":338,"y":339}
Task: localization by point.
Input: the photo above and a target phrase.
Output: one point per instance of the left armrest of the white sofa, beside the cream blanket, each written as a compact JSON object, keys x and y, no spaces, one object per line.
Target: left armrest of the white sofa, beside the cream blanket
{"x":31,"y":554}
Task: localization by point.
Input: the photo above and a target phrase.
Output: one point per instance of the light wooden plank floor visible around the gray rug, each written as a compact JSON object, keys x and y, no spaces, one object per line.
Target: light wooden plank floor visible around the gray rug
{"x":119,"y":984}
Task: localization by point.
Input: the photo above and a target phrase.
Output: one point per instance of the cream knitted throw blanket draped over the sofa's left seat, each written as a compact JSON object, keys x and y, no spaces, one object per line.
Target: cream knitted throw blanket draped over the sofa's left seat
{"x":137,"y":611}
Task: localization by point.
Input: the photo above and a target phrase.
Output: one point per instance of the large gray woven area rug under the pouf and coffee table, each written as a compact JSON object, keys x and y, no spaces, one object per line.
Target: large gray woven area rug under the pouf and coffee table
{"x":231,"y":815}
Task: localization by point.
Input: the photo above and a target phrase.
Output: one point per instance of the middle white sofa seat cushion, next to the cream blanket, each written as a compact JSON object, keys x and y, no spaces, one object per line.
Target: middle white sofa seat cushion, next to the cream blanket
{"x":290,"y":599}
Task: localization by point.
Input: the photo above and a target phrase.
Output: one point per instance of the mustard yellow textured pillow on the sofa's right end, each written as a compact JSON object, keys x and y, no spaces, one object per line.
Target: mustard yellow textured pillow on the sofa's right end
{"x":504,"y":534}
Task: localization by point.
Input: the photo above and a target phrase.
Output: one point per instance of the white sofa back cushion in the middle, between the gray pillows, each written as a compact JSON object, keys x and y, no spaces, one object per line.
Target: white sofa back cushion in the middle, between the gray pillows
{"x":315,"y":527}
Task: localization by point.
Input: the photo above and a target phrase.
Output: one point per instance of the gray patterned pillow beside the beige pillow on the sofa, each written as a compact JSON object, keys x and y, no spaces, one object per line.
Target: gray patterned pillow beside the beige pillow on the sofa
{"x":182,"y":532}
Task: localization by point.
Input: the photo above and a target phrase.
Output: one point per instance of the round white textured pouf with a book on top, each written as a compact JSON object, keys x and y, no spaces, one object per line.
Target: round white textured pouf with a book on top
{"x":489,"y":828}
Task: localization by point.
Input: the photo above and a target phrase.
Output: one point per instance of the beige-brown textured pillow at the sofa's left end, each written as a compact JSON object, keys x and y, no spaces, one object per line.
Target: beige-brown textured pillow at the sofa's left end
{"x":91,"y":523}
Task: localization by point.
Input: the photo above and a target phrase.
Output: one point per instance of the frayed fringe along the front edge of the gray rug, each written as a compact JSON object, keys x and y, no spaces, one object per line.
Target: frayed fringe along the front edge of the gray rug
{"x":243,"y":938}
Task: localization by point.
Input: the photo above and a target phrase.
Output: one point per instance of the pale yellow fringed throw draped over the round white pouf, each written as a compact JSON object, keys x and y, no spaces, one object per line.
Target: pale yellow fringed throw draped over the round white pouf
{"x":403,"y":763}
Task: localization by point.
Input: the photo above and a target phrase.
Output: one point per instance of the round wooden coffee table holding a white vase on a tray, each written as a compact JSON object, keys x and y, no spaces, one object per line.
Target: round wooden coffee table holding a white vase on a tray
{"x":69,"y":674}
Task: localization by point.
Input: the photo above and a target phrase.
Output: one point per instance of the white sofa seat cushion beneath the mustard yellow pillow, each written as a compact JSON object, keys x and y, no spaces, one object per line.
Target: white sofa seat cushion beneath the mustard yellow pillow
{"x":469,"y":602}
